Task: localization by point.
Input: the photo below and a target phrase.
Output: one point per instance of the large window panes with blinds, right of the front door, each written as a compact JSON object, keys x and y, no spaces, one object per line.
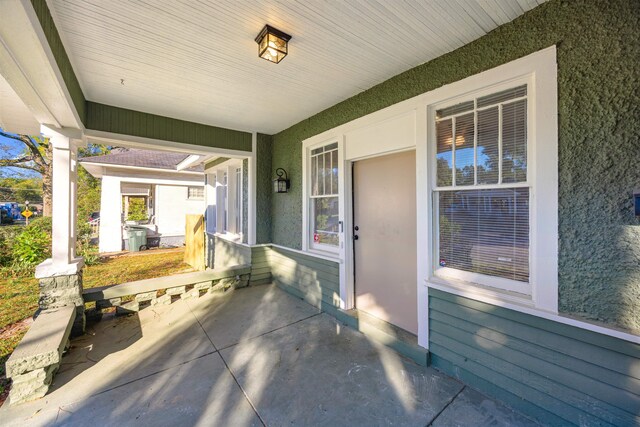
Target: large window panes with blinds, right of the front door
{"x":481,"y":193}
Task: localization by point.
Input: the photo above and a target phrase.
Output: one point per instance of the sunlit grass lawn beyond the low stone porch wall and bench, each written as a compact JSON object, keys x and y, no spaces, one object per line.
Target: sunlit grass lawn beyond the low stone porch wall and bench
{"x":19,"y":296}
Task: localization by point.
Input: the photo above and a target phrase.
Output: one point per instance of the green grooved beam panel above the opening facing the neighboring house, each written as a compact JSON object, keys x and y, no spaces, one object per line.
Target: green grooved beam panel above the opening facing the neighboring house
{"x":108,"y":118}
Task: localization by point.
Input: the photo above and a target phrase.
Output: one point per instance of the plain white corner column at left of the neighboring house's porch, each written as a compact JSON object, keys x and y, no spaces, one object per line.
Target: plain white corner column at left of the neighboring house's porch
{"x":110,"y":215}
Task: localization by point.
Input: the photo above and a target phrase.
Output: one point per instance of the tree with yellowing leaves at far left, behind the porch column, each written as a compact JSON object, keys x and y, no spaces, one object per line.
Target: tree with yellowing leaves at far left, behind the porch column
{"x":36,"y":157}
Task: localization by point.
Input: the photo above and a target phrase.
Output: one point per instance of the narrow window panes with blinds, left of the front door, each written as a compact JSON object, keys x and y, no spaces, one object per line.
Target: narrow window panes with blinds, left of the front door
{"x":324,"y":200}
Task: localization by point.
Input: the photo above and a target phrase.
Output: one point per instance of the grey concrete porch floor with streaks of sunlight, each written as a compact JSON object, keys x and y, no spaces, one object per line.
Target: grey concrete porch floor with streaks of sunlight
{"x":255,"y":356}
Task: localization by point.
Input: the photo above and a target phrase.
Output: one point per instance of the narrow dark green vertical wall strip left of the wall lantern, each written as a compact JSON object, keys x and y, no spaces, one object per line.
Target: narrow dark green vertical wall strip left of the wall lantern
{"x":264,"y":177}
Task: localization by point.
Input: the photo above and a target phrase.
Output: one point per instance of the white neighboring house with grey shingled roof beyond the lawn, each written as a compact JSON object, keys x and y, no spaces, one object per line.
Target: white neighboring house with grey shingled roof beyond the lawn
{"x":166,"y":186}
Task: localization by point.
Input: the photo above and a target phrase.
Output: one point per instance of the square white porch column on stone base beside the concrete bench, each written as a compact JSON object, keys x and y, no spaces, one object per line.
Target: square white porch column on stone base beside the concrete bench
{"x":60,"y":276}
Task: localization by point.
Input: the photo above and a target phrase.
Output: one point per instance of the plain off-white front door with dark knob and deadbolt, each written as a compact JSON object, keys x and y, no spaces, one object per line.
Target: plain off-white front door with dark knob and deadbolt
{"x":384,"y":207}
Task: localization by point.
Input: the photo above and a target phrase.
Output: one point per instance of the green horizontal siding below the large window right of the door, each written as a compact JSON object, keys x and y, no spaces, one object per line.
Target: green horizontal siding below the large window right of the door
{"x":554,"y":372}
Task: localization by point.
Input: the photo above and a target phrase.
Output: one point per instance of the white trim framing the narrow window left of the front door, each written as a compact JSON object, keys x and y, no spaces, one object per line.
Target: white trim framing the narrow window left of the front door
{"x":307,"y":244}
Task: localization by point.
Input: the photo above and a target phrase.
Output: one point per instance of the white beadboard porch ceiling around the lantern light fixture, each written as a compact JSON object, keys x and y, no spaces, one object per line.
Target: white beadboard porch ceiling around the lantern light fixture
{"x":197,"y":60}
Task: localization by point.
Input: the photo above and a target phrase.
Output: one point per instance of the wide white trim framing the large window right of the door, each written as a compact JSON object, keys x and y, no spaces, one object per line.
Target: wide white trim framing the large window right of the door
{"x":539,"y":71}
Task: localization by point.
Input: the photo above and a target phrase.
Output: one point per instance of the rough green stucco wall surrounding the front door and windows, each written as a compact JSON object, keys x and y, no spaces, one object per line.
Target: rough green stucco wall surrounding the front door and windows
{"x":598,"y":46}
